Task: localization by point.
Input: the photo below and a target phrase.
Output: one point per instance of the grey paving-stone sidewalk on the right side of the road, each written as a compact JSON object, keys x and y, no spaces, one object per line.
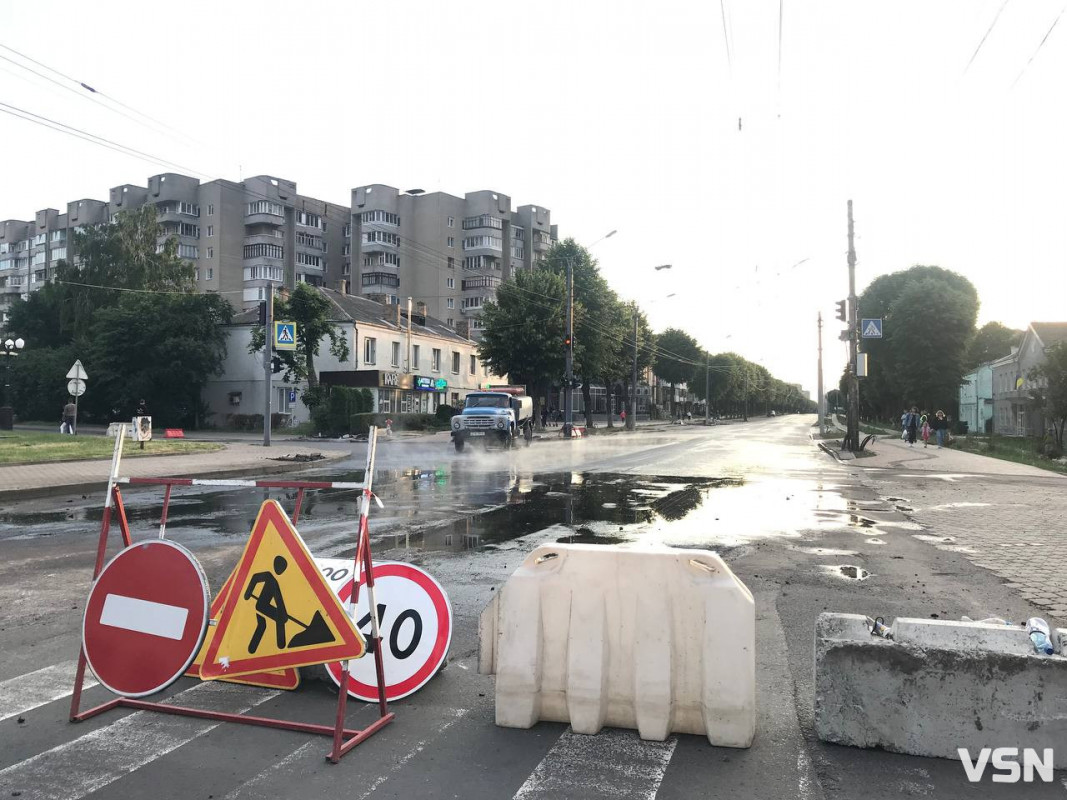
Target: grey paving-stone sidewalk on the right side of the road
{"x":1007,"y":518}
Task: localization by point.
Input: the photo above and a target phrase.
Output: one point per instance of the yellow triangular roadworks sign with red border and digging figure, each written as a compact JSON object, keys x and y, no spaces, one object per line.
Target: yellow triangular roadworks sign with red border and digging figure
{"x":280,"y":612}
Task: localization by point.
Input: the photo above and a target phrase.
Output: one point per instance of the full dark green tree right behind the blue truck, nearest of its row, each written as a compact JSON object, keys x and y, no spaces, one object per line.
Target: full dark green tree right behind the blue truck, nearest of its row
{"x":524,"y":329}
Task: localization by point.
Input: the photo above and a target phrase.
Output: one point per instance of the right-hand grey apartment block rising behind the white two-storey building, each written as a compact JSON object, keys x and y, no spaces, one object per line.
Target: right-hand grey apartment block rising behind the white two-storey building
{"x":450,"y":253}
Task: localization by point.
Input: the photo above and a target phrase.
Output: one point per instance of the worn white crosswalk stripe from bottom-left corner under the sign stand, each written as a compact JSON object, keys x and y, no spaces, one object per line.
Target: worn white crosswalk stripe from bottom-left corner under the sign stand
{"x":77,"y":769}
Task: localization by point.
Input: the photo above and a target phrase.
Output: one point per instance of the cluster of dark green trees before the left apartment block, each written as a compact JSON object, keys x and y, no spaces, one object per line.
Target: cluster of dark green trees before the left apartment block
{"x":130,"y":312}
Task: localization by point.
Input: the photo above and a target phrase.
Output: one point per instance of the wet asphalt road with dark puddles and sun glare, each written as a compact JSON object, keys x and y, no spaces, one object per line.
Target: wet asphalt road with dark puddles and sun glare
{"x":802,"y":532}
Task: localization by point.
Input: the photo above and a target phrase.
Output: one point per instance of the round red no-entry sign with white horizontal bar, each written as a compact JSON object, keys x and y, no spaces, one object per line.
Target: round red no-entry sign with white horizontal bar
{"x":146,"y":618}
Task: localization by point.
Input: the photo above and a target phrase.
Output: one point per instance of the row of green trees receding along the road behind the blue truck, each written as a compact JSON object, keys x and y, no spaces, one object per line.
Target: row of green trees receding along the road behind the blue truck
{"x":525,"y":331}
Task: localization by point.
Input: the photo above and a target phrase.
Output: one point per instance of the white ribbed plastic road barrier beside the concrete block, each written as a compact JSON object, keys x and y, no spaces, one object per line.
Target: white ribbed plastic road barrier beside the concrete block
{"x":659,"y":639}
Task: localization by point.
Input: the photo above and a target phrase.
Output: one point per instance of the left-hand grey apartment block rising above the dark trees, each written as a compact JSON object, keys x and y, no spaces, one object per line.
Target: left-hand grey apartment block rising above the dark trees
{"x":236,"y":235}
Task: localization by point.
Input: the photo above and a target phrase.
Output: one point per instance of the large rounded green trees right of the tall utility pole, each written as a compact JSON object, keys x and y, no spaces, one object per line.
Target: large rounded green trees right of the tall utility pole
{"x":930,"y":342}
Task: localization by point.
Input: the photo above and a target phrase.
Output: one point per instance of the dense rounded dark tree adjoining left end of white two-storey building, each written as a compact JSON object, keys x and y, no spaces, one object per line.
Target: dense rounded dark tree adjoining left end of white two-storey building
{"x":161,"y":348}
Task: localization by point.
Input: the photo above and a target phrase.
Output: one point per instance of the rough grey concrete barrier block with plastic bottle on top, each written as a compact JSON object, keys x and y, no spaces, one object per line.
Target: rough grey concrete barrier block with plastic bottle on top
{"x":938,"y":686}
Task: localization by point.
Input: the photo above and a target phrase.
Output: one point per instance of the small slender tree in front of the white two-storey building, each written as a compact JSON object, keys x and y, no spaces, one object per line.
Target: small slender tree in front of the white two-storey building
{"x":313,"y":313}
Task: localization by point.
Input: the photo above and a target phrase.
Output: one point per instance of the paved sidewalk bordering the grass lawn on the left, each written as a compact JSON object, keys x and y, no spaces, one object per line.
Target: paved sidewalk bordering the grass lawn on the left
{"x":237,"y":460}
